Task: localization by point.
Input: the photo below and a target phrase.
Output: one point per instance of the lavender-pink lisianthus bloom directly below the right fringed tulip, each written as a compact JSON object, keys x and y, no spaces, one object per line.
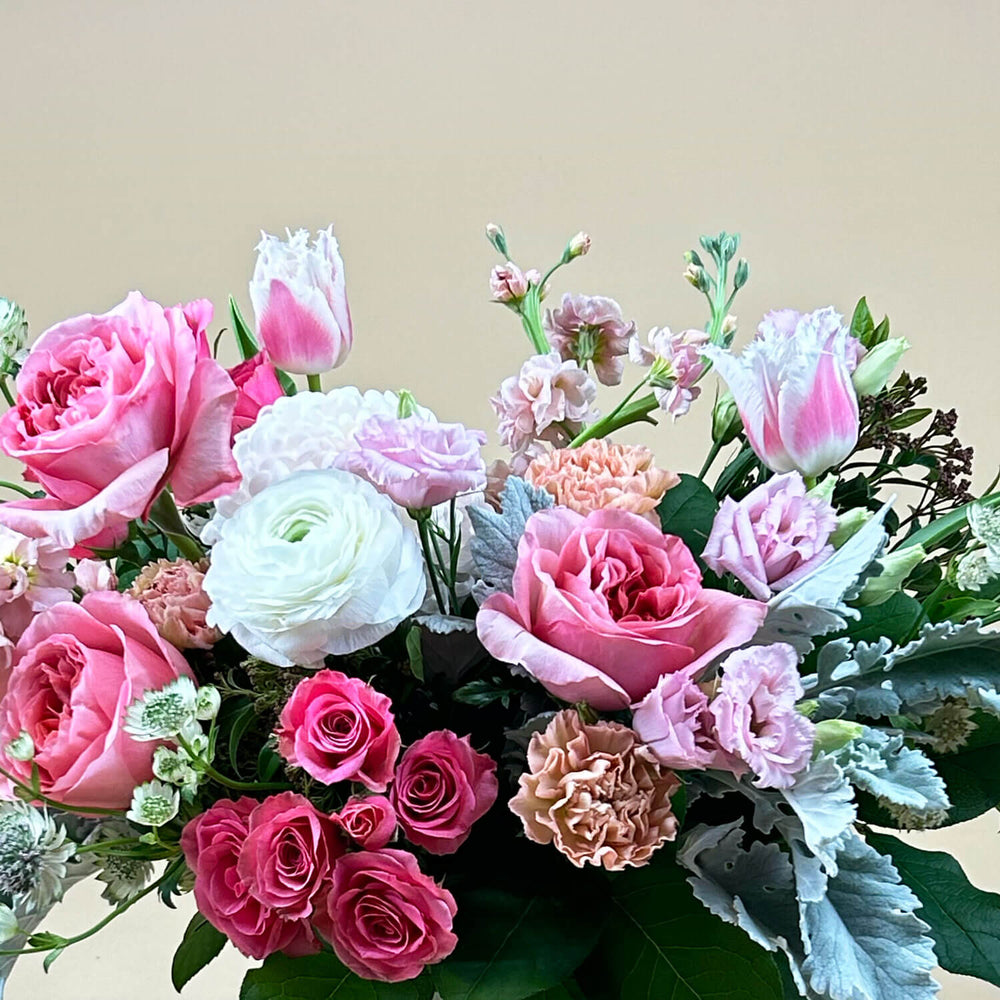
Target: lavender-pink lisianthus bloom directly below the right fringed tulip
{"x":773,"y":537}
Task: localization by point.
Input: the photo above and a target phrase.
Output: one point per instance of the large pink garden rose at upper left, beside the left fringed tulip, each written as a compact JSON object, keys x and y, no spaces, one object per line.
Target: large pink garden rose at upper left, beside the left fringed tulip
{"x":112,"y":408}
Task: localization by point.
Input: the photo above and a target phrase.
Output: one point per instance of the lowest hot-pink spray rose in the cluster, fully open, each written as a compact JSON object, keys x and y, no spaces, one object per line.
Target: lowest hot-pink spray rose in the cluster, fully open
{"x":385,"y":919}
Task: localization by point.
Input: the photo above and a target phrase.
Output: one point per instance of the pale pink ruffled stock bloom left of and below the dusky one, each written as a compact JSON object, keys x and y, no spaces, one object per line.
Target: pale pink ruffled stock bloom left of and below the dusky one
{"x":548,"y":400}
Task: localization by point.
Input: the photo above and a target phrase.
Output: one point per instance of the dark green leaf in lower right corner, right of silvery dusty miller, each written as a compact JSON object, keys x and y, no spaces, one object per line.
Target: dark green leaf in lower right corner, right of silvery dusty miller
{"x":964,"y":920}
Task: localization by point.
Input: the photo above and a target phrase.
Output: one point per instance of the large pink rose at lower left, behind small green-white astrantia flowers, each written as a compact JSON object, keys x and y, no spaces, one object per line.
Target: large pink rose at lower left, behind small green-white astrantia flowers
{"x":76,"y":669}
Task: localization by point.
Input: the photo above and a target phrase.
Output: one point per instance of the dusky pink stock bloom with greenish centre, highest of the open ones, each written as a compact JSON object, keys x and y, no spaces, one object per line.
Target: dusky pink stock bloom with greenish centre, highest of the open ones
{"x":587,"y":328}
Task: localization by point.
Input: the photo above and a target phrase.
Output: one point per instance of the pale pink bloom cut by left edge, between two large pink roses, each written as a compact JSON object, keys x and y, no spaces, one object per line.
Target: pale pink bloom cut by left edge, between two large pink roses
{"x":33,"y":577}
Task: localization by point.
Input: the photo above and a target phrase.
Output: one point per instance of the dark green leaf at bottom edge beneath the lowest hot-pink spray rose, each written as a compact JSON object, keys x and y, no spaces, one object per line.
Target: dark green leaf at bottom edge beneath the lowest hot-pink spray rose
{"x":321,"y":977}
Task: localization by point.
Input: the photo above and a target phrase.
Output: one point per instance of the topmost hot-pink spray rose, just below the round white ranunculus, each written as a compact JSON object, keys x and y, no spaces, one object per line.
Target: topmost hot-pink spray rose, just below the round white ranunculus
{"x":338,"y":728}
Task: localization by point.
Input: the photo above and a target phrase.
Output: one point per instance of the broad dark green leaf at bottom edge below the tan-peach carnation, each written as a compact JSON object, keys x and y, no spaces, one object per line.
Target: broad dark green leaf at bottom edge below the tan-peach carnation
{"x":660,"y":941}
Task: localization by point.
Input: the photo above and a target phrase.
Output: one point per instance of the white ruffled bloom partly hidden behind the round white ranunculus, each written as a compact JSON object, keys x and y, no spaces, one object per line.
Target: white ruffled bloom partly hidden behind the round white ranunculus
{"x":305,"y":431}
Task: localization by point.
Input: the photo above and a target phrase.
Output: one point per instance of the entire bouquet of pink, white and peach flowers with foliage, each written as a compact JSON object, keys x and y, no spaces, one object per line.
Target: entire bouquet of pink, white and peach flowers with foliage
{"x":571,"y":727}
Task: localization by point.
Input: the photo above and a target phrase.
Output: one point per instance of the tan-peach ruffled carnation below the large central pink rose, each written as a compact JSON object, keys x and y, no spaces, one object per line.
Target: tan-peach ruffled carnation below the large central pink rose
{"x":596,"y":792}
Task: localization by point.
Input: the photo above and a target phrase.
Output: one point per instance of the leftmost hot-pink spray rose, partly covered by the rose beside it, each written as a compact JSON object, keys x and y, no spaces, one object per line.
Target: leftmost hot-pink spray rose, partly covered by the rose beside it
{"x":212,"y":843}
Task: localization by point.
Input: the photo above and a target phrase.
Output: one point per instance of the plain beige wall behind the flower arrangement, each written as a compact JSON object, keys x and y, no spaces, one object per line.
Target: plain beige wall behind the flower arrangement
{"x":853,"y":144}
